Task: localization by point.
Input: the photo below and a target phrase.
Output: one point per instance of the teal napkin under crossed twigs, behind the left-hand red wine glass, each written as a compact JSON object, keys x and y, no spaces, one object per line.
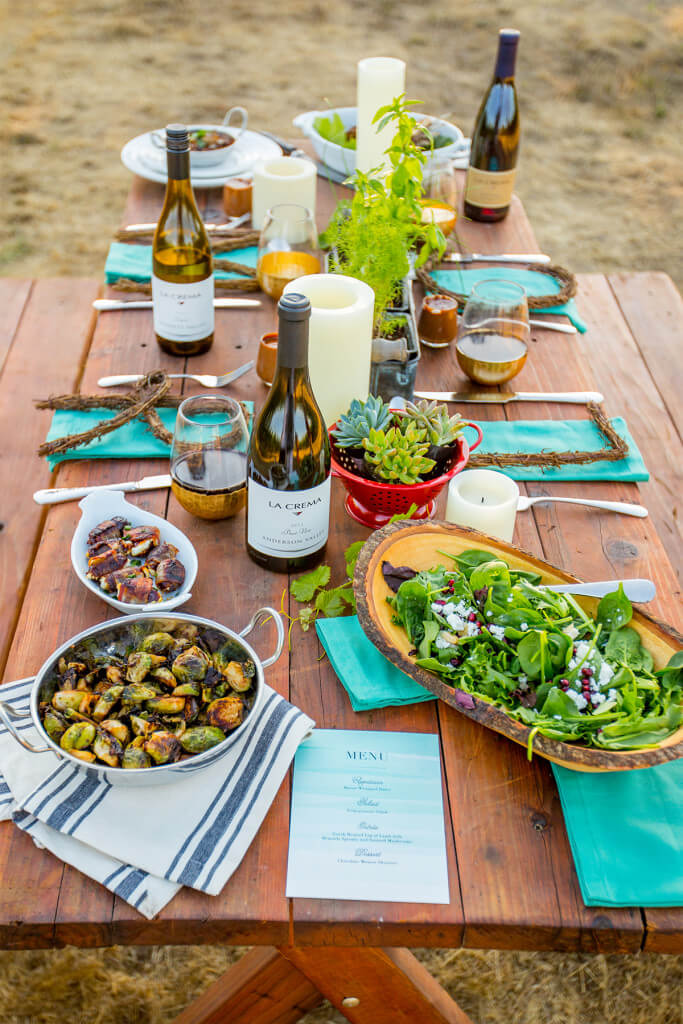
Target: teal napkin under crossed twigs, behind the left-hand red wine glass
{"x":133,"y":441}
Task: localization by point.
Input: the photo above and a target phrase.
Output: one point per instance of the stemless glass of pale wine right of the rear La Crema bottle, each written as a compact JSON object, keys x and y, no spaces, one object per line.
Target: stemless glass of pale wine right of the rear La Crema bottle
{"x":287,"y":248}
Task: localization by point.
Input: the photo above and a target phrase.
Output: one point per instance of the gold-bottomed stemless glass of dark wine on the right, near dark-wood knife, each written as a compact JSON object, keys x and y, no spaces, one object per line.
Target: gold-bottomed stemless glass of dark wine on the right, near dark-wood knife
{"x":494,"y":332}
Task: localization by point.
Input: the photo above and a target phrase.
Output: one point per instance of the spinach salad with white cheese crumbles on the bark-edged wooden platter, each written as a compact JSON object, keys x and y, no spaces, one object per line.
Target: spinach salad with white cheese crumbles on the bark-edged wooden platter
{"x":495,"y":633}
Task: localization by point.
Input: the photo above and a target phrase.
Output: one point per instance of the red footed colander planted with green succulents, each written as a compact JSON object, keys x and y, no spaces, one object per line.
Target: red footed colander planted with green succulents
{"x":390,"y":460}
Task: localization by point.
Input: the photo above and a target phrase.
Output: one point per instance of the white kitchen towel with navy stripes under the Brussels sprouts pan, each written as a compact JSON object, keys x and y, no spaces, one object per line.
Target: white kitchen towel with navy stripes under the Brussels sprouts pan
{"x":145,"y":843}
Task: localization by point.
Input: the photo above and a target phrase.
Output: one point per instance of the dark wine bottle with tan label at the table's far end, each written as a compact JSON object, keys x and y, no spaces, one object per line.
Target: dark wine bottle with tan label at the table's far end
{"x":491,"y":177}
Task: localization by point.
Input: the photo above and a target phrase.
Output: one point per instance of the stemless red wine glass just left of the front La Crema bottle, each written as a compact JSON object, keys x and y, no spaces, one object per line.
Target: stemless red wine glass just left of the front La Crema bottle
{"x":209,"y":457}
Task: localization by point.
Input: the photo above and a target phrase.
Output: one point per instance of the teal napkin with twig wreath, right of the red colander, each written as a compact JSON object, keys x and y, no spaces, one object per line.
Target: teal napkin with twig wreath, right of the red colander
{"x":562,"y":436}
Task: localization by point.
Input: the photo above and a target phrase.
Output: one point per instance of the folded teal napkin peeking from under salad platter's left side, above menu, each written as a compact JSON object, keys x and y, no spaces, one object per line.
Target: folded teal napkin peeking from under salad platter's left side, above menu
{"x":368,"y":677}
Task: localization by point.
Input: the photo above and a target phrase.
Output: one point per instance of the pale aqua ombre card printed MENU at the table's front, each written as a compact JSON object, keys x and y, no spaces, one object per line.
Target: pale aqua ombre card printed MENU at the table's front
{"x":368,"y":819}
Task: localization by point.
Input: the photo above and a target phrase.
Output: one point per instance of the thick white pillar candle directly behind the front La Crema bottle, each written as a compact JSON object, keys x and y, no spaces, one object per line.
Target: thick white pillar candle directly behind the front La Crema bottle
{"x":339,"y":342}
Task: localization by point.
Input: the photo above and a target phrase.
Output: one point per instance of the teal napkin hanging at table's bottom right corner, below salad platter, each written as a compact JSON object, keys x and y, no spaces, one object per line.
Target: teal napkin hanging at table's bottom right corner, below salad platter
{"x":626,"y":831}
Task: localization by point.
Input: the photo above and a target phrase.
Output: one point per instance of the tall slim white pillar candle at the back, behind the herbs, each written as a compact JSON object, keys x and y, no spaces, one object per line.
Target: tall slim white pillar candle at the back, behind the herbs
{"x":380,"y":81}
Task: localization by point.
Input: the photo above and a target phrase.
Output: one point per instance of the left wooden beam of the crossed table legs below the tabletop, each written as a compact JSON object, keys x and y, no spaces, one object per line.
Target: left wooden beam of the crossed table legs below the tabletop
{"x":262,"y":989}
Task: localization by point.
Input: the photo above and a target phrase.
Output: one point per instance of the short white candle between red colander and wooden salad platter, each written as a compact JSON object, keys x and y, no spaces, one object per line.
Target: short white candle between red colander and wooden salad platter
{"x":486,"y":500}
